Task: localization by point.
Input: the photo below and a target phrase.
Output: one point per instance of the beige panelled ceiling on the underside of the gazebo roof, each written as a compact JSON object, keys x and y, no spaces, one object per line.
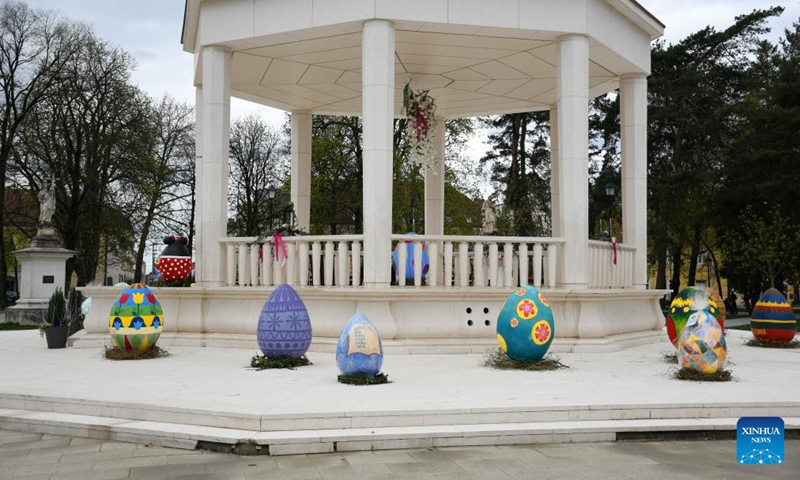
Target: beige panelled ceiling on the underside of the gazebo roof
{"x":469,"y":70}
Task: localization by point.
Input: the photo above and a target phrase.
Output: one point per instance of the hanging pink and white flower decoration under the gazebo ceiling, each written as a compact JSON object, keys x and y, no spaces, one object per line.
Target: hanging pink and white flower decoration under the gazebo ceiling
{"x":420,"y":124}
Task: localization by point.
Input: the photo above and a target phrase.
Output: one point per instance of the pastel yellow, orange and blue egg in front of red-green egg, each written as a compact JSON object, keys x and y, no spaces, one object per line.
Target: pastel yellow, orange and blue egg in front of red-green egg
{"x":701,"y":346}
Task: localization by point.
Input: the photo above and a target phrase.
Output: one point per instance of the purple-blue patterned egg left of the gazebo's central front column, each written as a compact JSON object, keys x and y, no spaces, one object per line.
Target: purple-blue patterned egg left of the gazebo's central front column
{"x":284,"y":328}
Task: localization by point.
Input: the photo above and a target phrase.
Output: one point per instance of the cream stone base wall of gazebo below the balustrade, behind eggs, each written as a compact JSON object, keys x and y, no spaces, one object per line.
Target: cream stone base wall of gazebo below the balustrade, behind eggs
{"x":410,"y":320}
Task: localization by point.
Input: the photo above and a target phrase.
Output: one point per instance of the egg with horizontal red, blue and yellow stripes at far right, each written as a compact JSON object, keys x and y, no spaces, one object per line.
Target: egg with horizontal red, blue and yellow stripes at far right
{"x":773,"y":320}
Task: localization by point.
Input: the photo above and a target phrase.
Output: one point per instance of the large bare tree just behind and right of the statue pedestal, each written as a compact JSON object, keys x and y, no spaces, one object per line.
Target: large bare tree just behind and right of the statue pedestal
{"x":88,"y":135}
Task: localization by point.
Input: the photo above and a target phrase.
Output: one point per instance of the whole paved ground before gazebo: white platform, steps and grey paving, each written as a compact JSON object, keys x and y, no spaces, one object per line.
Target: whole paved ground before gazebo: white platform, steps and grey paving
{"x":73,"y":414}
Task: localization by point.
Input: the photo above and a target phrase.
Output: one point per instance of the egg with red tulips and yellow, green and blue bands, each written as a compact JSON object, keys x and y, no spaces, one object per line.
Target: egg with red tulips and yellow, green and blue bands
{"x":136,"y":319}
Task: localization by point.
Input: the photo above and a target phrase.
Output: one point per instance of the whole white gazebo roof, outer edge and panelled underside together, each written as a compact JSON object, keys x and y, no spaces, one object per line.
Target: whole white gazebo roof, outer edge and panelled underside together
{"x":476,"y":57}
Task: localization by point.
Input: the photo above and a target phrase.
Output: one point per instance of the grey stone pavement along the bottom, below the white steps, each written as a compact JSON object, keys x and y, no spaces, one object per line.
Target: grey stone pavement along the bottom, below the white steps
{"x":37,"y":456}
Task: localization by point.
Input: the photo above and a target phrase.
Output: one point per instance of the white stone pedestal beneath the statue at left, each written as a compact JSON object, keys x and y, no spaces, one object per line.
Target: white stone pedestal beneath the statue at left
{"x":43,"y":269}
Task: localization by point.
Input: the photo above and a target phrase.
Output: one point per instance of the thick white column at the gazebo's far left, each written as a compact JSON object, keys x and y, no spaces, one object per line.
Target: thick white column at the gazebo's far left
{"x":212,"y":183}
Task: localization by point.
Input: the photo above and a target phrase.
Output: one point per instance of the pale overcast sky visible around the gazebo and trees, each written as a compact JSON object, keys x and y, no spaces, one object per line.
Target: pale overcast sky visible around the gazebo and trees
{"x":151,"y":31}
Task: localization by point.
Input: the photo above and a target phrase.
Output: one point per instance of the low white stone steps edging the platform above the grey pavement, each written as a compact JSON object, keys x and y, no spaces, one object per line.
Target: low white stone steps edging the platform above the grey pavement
{"x":254,"y":442}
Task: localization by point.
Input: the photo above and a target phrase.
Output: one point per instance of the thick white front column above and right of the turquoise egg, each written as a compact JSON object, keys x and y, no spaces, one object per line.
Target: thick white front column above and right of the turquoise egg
{"x":573,"y":157}
